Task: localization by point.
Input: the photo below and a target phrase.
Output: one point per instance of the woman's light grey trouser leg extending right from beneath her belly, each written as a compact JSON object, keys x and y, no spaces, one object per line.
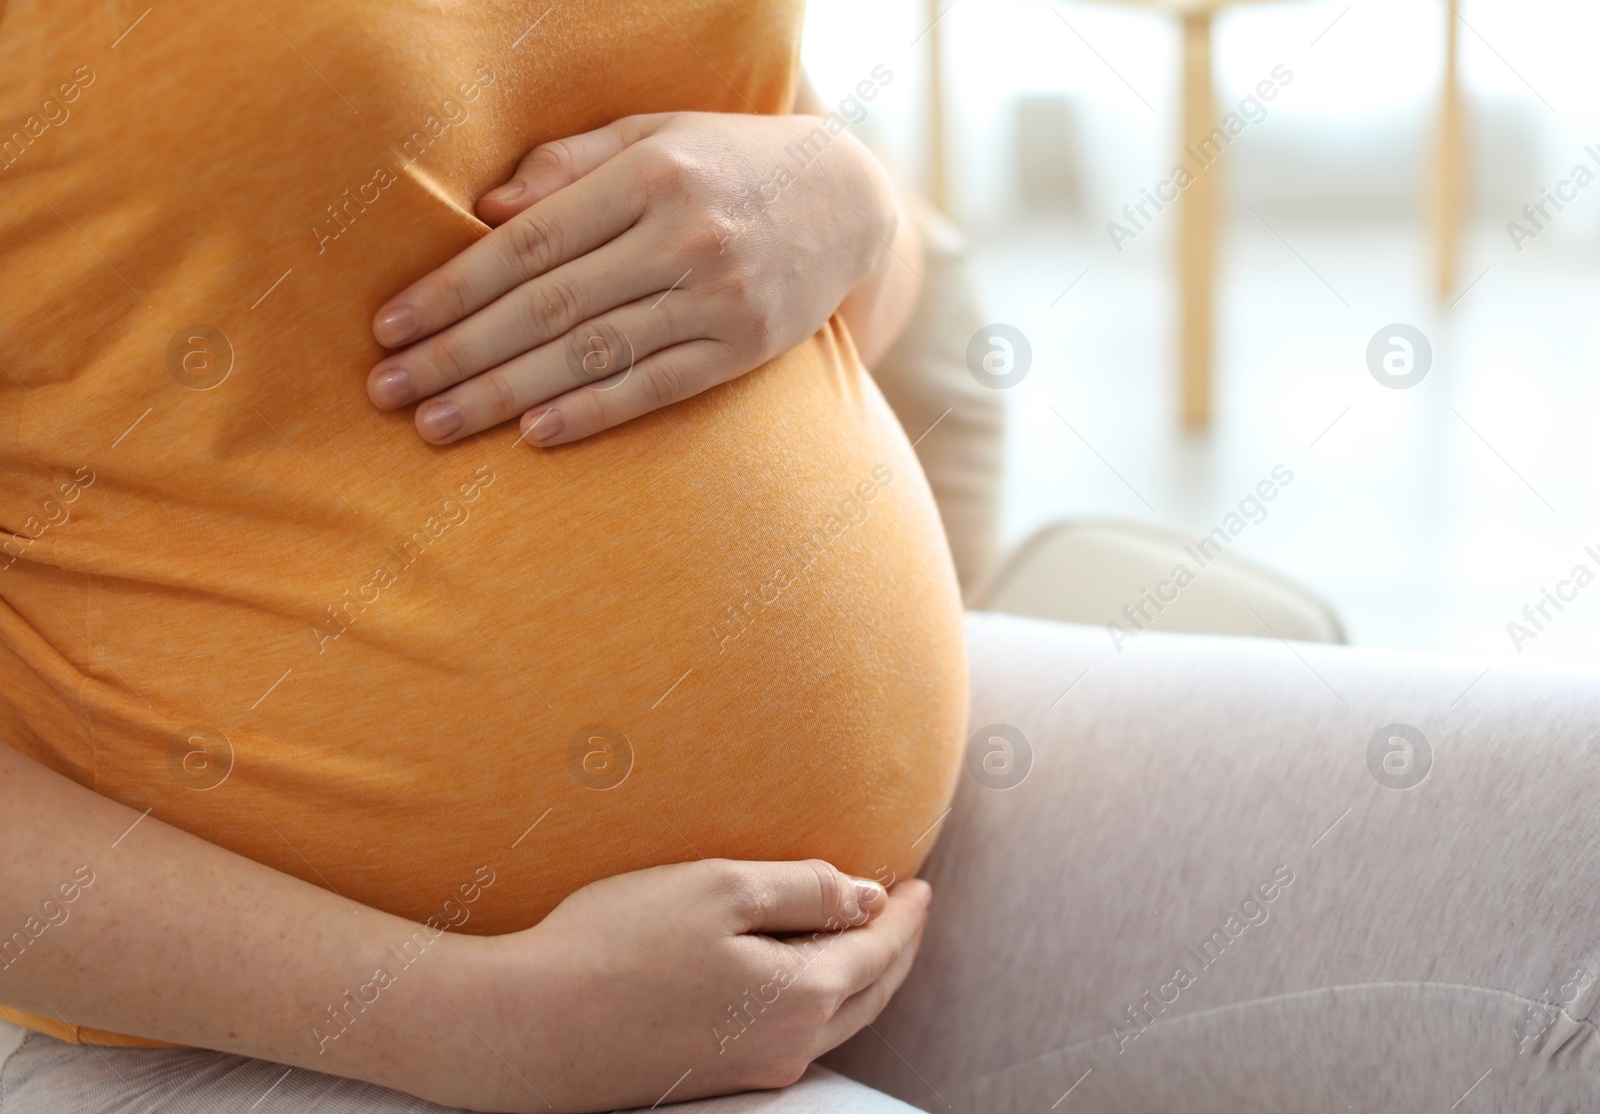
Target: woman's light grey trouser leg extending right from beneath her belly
{"x":1255,"y":876}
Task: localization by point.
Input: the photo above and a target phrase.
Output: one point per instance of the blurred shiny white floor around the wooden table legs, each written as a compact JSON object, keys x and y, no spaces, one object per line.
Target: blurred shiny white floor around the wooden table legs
{"x":1430,"y":518}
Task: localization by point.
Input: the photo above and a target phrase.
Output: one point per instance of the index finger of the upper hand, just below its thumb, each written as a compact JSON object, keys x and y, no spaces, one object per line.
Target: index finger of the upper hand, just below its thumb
{"x":567,"y":225}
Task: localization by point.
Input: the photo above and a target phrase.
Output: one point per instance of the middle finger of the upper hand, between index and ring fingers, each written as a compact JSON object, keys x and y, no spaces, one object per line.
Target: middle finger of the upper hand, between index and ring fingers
{"x":519,"y":323}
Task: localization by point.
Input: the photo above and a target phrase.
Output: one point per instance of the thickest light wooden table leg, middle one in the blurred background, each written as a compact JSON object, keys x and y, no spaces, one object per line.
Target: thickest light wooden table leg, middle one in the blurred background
{"x":1198,"y":231}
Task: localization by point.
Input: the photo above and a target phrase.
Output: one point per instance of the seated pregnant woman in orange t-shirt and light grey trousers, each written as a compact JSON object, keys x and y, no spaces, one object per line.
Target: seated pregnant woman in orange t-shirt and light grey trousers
{"x":474,"y":638}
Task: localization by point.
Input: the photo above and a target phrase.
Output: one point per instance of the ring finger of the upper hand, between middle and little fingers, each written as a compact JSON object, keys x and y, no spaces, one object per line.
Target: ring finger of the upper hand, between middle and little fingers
{"x":599,"y":351}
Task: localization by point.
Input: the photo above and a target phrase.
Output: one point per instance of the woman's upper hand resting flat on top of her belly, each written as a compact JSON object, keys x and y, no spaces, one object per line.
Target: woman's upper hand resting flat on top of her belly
{"x":636,"y":266}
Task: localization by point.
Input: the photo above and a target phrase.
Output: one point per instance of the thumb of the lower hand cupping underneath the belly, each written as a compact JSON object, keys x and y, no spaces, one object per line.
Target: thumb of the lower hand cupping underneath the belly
{"x":794,"y":897}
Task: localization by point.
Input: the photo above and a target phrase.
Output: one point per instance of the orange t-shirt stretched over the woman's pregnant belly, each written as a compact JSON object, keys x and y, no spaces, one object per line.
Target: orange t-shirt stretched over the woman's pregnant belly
{"x":238,"y":596}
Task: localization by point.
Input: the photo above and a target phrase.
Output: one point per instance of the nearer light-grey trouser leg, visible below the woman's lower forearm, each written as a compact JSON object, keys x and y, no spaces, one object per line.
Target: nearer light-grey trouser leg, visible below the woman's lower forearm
{"x":47,"y":1076}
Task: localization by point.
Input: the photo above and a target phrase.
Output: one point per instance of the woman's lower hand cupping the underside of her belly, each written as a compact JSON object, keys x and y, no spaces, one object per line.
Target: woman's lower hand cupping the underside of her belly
{"x":682,"y":982}
